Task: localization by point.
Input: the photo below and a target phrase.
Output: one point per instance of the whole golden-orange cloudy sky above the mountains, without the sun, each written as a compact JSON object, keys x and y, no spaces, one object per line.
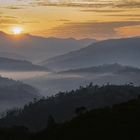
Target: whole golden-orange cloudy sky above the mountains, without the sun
{"x":100,"y":19}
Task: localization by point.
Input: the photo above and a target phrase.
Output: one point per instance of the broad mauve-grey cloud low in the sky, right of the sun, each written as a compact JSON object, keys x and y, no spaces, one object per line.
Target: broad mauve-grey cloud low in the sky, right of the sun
{"x":92,"y":29}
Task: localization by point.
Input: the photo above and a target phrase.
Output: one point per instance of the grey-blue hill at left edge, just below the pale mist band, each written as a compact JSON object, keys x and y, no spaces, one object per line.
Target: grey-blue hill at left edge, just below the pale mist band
{"x":15,"y":94}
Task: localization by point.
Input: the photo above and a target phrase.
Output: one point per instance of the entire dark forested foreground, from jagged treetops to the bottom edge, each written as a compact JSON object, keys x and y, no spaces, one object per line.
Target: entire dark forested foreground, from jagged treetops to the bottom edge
{"x":118,"y":120}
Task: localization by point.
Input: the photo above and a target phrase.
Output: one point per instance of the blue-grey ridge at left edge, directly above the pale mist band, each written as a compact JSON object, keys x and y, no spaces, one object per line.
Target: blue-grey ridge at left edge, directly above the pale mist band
{"x":7,"y":64}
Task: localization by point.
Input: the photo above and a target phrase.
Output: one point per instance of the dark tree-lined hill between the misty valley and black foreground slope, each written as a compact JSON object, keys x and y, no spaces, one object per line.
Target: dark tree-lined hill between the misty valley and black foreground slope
{"x":62,"y":106}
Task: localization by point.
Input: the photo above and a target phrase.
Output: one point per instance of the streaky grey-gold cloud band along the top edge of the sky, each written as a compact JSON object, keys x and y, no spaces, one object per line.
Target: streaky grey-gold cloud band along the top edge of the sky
{"x":89,"y":3}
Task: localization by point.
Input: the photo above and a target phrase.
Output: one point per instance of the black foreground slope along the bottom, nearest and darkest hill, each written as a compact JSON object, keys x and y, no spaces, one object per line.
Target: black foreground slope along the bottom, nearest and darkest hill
{"x":119,"y":122}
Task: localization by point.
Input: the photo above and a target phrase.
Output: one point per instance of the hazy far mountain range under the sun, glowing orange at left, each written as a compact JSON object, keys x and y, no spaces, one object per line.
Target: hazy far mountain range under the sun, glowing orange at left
{"x":37,"y":48}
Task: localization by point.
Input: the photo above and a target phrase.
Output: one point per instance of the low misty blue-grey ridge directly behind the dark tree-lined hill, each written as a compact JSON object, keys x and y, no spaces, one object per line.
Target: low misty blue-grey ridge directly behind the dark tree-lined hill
{"x":66,"y":80}
